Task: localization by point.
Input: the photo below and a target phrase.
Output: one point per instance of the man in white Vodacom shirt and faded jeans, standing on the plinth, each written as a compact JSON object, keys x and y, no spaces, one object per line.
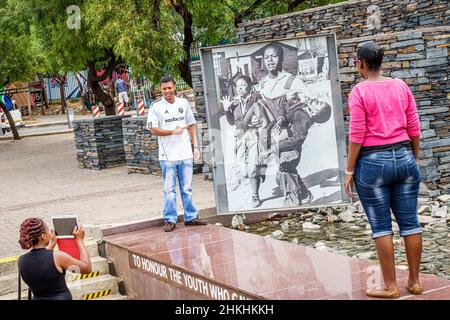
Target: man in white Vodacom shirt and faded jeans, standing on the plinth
{"x":172,"y":120}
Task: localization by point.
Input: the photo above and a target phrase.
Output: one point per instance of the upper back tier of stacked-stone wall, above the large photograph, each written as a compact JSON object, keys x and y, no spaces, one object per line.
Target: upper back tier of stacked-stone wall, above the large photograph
{"x":350,"y":19}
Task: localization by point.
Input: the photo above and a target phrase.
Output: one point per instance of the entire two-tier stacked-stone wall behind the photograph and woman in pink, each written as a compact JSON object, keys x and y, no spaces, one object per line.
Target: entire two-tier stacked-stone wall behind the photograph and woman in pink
{"x":416,"y":37}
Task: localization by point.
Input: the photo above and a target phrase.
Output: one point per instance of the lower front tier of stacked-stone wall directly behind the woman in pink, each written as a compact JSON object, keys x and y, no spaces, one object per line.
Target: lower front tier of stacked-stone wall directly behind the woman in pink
{"x":420,"y":58}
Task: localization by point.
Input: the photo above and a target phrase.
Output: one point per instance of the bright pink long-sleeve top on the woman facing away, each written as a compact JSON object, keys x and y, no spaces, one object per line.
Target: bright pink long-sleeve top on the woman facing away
{"x":382,"y":112}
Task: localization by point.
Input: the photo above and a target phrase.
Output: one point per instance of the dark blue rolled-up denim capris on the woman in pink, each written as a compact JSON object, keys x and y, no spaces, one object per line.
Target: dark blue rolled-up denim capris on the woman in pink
{"x":388,"y":180}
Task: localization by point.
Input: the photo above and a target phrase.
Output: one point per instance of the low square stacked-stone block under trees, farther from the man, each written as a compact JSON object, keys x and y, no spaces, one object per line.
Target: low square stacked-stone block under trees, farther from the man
{"x":99,"y":142}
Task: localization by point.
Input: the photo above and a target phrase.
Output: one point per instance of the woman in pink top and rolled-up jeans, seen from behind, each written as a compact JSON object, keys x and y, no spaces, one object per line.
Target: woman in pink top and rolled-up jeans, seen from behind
{"x":382,"y":165}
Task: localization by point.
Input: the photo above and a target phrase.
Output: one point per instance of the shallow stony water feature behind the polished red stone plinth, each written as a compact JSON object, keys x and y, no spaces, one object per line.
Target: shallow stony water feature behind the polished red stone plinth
{"x":323,"y":231}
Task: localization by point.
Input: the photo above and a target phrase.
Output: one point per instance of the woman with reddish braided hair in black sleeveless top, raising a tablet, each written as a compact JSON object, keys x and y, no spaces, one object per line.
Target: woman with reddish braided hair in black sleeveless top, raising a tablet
{"x":44,"y":270}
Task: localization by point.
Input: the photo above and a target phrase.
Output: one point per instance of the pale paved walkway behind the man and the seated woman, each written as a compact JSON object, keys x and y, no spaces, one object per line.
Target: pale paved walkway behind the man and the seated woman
{"x":40,"y":177}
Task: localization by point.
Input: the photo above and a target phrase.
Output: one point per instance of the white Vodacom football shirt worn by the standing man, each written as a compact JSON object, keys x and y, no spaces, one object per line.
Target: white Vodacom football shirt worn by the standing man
{"x":165,"y":115}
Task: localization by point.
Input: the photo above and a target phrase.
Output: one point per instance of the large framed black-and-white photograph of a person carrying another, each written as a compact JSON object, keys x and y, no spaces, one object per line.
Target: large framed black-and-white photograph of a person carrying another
{"x":277,"y":124}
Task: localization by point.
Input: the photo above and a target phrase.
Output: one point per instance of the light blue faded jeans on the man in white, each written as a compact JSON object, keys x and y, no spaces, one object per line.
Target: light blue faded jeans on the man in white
{"x":183,"y":169}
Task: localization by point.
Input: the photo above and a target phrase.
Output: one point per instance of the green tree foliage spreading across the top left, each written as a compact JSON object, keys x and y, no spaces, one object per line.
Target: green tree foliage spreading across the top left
{"x":146,"y":34}
